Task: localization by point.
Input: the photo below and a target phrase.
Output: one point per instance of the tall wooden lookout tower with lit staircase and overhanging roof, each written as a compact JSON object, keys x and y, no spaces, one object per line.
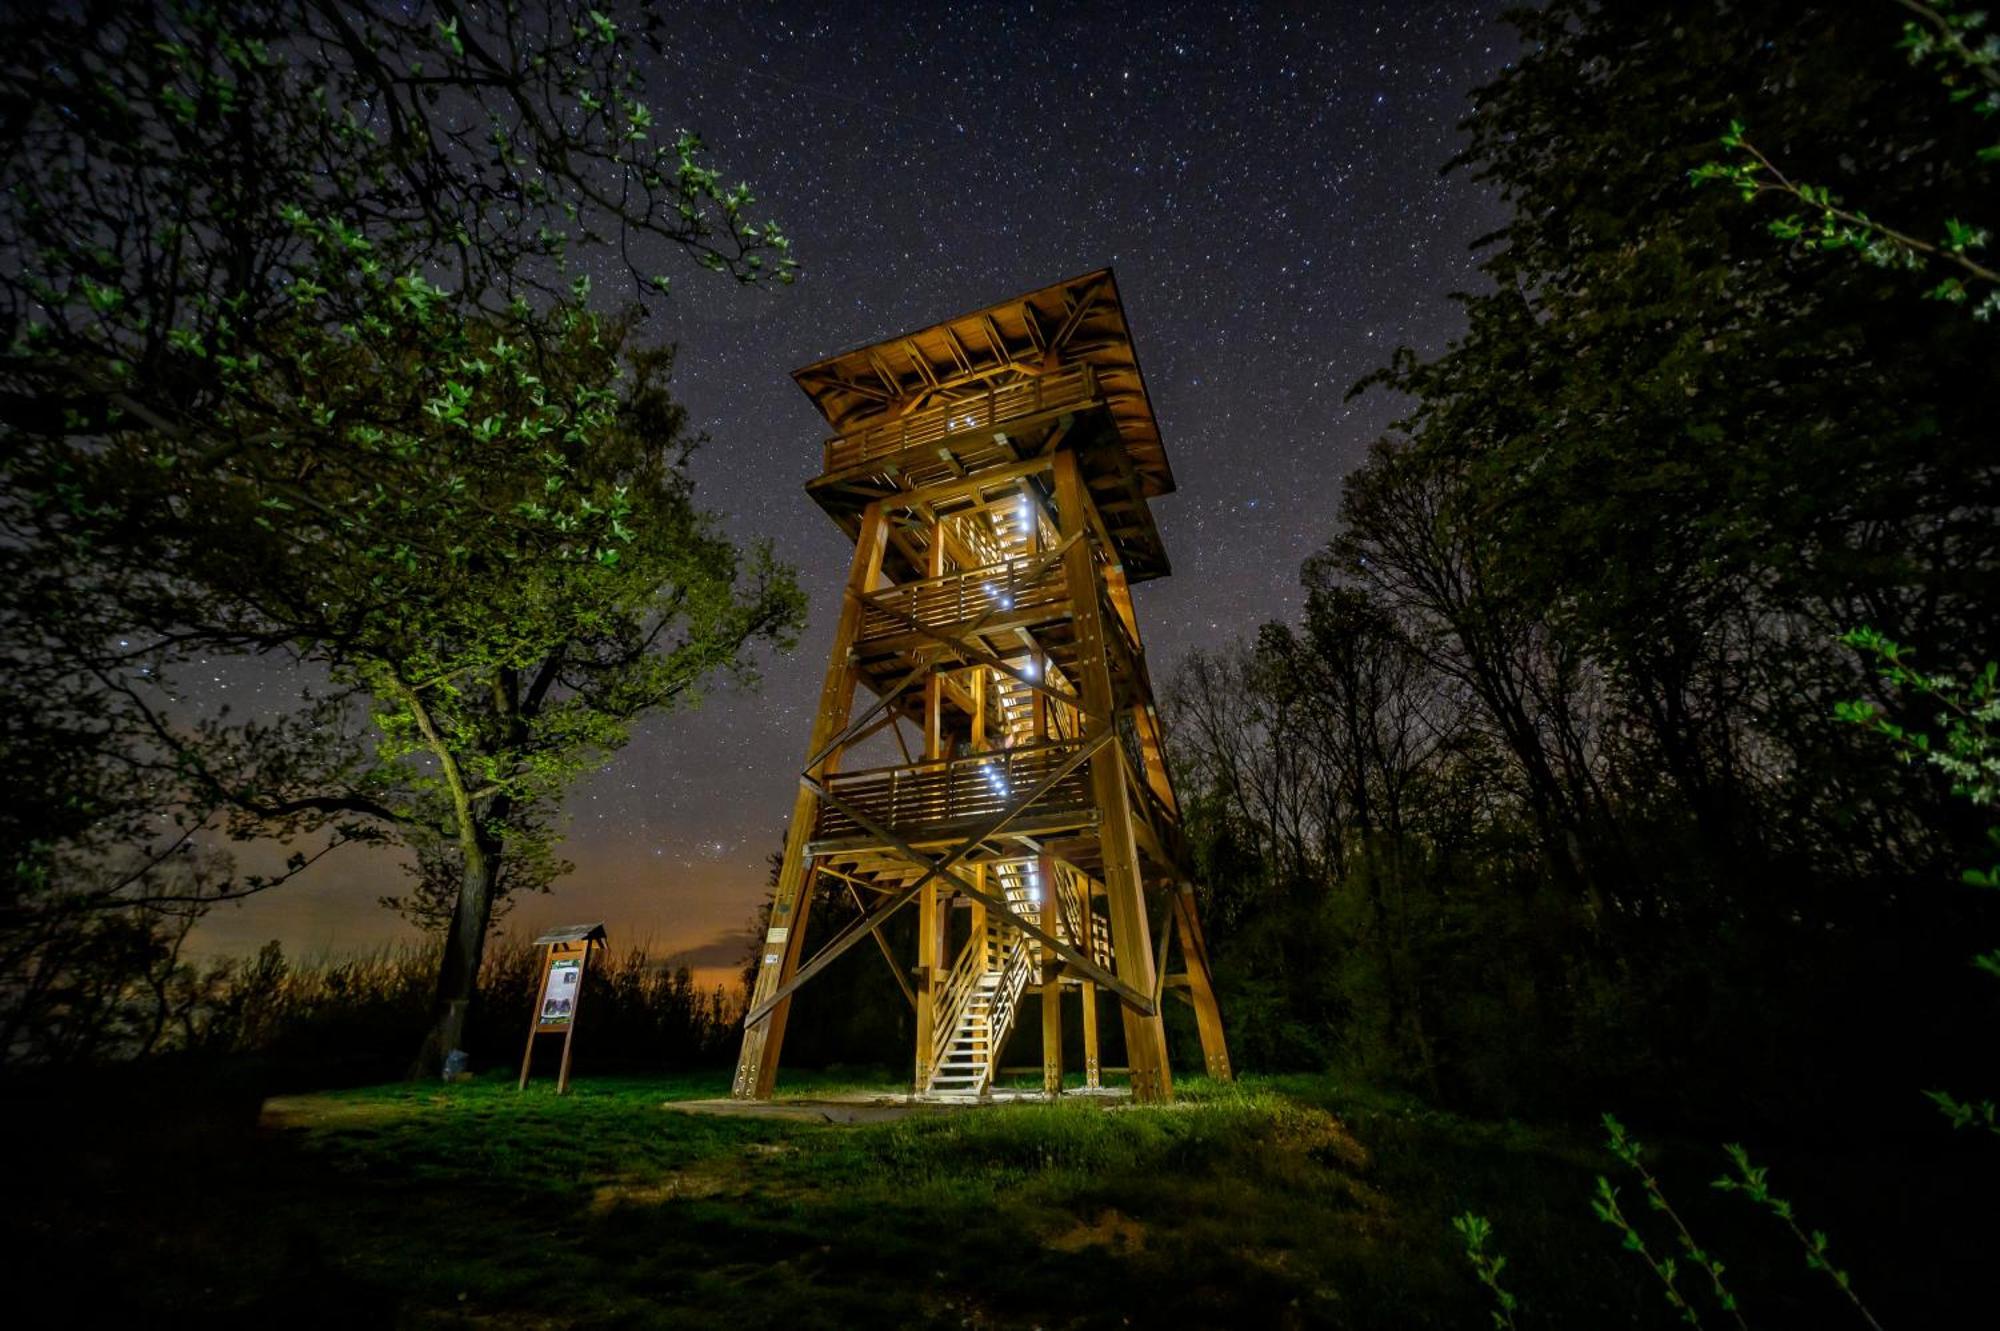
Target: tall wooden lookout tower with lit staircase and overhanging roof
{"x":995,"y":473}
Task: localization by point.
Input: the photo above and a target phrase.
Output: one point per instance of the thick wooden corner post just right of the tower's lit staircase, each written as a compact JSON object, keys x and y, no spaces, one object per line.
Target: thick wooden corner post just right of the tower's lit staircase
{"x":1123,"y":884}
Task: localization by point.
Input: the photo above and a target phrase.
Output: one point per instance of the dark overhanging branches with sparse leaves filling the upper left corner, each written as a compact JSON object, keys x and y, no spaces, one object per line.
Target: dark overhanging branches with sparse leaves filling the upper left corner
{"x":209,"y":213}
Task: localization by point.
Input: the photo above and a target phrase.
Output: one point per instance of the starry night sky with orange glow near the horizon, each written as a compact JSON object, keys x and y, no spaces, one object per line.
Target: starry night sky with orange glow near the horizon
{"x":1263,"y":177}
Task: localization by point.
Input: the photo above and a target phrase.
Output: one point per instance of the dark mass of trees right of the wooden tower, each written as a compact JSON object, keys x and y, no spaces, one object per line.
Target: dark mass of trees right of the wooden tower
{"x":1541,"y":806}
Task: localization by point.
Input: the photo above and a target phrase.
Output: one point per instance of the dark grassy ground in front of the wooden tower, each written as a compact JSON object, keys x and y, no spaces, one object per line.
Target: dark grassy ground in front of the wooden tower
{"x":1275,"y":1202}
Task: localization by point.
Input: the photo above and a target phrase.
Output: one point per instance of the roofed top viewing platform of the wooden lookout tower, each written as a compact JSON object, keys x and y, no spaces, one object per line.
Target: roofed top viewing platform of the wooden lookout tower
{"x":949,"y":411}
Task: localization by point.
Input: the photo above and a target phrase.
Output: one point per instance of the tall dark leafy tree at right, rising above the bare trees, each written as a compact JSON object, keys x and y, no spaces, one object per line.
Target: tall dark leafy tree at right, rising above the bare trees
{"x":1697,"y":461}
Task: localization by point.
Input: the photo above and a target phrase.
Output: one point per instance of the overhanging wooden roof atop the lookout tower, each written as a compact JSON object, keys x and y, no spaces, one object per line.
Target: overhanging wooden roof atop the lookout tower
{"x":1059,"y":327}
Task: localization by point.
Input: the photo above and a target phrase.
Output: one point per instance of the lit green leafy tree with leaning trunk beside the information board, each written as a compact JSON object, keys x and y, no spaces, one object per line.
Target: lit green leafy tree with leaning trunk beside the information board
{"x":497,"y":543}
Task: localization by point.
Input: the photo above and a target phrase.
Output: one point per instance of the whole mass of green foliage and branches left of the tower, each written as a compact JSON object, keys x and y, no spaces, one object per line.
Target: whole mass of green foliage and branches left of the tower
{"x":295,"y":361}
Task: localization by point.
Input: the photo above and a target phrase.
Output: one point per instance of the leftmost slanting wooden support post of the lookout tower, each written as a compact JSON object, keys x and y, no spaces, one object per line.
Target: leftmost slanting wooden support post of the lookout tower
{"x":757,"y":1066}
